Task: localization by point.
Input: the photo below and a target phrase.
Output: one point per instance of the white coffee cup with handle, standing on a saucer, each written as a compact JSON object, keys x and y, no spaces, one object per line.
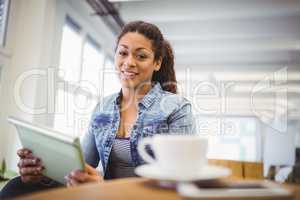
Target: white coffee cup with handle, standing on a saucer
{"x":177,"y":153}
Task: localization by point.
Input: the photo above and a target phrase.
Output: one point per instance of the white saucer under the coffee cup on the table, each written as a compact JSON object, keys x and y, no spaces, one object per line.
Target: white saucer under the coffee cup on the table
{"x":208,"y":172}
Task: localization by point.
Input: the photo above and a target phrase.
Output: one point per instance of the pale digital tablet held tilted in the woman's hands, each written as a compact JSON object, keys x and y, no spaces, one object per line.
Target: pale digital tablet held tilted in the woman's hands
{"x":60,"y":153}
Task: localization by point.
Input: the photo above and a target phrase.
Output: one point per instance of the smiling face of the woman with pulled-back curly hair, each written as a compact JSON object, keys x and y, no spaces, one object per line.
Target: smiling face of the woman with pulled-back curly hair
{"x":134,"y":60}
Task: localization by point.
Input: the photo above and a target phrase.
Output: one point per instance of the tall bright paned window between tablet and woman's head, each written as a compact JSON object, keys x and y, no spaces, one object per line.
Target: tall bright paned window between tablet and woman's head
{"x":81,"y":62}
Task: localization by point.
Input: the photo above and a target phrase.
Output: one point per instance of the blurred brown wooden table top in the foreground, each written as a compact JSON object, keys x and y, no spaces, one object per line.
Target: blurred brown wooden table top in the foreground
{"x":129,"y":188}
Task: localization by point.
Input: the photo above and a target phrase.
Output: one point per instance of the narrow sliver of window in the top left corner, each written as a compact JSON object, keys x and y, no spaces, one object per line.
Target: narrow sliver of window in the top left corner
{"x":4,"y":5}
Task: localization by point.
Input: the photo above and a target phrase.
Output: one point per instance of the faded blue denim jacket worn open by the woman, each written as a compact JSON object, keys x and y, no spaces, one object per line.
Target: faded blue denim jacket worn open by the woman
{"x":159,"y":112}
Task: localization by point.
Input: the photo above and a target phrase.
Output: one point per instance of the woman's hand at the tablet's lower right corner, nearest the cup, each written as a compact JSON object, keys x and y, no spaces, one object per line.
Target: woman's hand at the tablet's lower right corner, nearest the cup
{"x":78,"y":177}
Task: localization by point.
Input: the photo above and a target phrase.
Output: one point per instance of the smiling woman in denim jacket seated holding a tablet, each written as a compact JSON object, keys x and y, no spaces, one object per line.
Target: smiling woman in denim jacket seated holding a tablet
{"x":146,"y":105}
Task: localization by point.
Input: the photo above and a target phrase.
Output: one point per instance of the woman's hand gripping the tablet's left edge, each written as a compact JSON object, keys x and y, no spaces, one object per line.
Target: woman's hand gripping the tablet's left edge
{"x":30,"y":167}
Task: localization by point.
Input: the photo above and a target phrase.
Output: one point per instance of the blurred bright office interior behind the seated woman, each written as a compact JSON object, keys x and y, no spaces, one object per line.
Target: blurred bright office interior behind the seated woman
{"x":237,"y":61}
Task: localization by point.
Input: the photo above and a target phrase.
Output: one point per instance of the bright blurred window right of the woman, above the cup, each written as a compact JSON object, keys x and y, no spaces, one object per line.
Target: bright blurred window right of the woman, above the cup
{"x":233,"y":138}
